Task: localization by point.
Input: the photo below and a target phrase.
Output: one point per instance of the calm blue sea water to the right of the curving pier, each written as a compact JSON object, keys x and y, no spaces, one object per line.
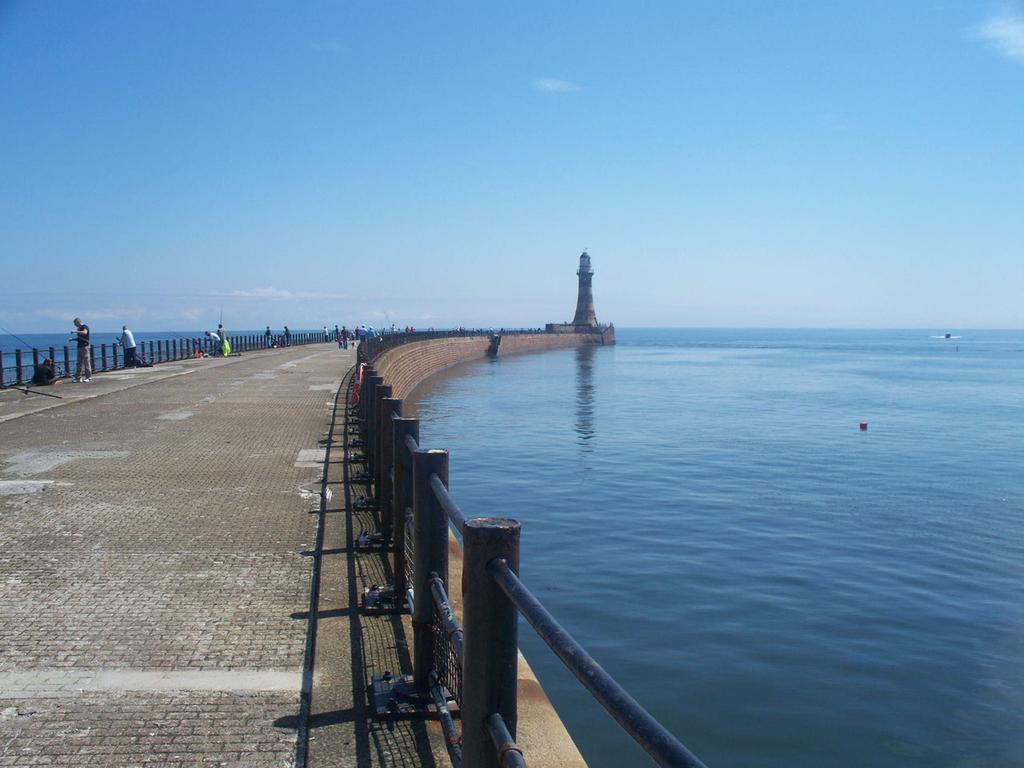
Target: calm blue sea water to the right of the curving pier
{"x":778,"y":587}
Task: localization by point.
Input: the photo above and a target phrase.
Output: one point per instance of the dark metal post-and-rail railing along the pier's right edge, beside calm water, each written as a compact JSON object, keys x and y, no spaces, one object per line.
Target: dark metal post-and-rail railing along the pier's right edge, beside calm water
{"x":474,"y":665}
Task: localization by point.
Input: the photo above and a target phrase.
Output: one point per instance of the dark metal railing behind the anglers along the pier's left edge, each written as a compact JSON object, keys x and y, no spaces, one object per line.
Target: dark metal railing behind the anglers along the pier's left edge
{"x":20,"y":365}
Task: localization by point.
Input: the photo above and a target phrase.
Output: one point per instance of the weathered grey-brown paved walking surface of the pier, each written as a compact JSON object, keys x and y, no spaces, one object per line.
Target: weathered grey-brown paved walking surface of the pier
{"x":159,"y":565}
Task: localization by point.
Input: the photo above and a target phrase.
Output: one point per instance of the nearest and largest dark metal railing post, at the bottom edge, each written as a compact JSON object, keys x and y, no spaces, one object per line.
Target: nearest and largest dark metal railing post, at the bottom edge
{"x":491,"y":624}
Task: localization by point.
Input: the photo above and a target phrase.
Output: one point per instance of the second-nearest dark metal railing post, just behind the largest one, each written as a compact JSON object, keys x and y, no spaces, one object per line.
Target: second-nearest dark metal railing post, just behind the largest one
{"x":431,"y":535}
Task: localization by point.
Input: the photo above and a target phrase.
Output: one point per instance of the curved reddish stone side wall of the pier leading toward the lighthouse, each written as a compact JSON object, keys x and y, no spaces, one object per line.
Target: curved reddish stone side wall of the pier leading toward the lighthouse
{"x":405,"y":367}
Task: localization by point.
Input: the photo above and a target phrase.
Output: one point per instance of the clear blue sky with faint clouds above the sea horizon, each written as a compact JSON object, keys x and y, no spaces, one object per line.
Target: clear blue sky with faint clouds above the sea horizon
{"x":727,"y":164}
